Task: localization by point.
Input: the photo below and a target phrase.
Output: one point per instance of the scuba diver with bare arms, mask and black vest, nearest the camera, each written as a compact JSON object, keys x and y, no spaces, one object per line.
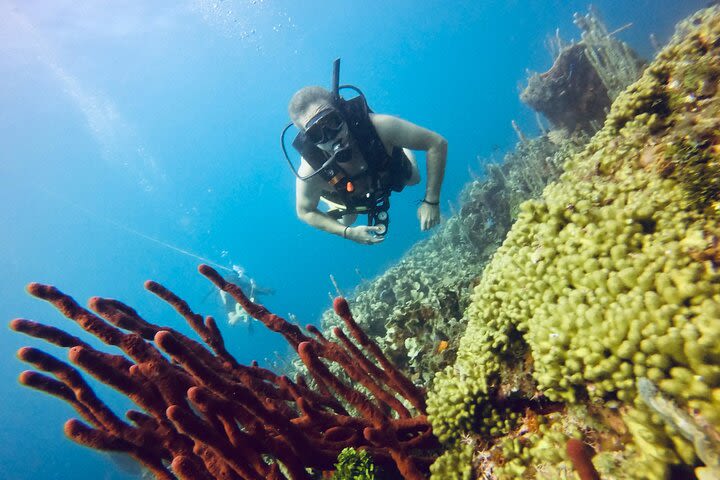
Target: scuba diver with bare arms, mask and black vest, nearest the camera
{"x":352,"y":159}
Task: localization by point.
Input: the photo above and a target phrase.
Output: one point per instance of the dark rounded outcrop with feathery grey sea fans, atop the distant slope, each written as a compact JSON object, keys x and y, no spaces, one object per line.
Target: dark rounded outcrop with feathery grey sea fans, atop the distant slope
{"x":576,"y":92}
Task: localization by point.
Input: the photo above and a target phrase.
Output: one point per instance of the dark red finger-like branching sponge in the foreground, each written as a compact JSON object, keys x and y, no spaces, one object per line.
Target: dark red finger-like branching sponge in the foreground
{"x":203,"y":415}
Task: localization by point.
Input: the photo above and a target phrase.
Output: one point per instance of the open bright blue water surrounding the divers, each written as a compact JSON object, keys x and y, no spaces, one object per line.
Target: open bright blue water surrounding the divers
{"x":125,"y":120}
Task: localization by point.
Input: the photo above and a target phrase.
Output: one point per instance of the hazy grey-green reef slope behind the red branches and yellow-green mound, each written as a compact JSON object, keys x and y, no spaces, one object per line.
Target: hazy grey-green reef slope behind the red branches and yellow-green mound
{"x":422,"y":299}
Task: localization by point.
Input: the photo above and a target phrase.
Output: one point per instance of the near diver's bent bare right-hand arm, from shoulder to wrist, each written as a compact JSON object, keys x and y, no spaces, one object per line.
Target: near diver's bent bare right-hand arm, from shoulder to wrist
{"x":401,"y":133}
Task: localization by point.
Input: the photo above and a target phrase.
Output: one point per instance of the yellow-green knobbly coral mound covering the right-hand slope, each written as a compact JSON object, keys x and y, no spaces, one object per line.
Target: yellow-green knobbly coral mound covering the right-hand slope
{"x":613,"y":274}
